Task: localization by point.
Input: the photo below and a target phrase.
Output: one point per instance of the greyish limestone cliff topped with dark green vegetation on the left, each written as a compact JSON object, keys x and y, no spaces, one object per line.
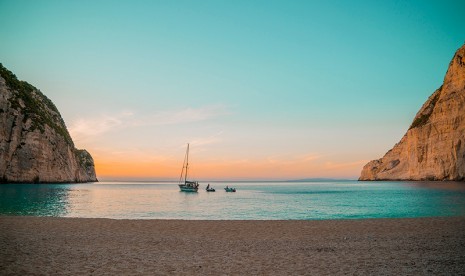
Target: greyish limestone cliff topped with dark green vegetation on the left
{"x":35,"y":145}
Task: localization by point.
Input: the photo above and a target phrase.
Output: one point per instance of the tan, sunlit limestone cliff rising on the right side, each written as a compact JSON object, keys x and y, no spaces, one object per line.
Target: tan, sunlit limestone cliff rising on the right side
{"x":434,"y":146}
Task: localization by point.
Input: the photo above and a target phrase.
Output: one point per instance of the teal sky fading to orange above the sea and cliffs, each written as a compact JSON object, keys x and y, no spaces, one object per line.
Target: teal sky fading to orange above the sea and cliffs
{"x":262,"y":90}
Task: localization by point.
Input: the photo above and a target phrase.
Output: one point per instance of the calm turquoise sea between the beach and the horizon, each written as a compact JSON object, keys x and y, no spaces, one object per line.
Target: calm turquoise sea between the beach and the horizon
{"x":252,"y":201}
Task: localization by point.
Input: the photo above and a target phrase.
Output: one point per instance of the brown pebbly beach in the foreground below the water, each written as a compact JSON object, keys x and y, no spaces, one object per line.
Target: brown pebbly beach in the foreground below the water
{"x":70,"y":246}
